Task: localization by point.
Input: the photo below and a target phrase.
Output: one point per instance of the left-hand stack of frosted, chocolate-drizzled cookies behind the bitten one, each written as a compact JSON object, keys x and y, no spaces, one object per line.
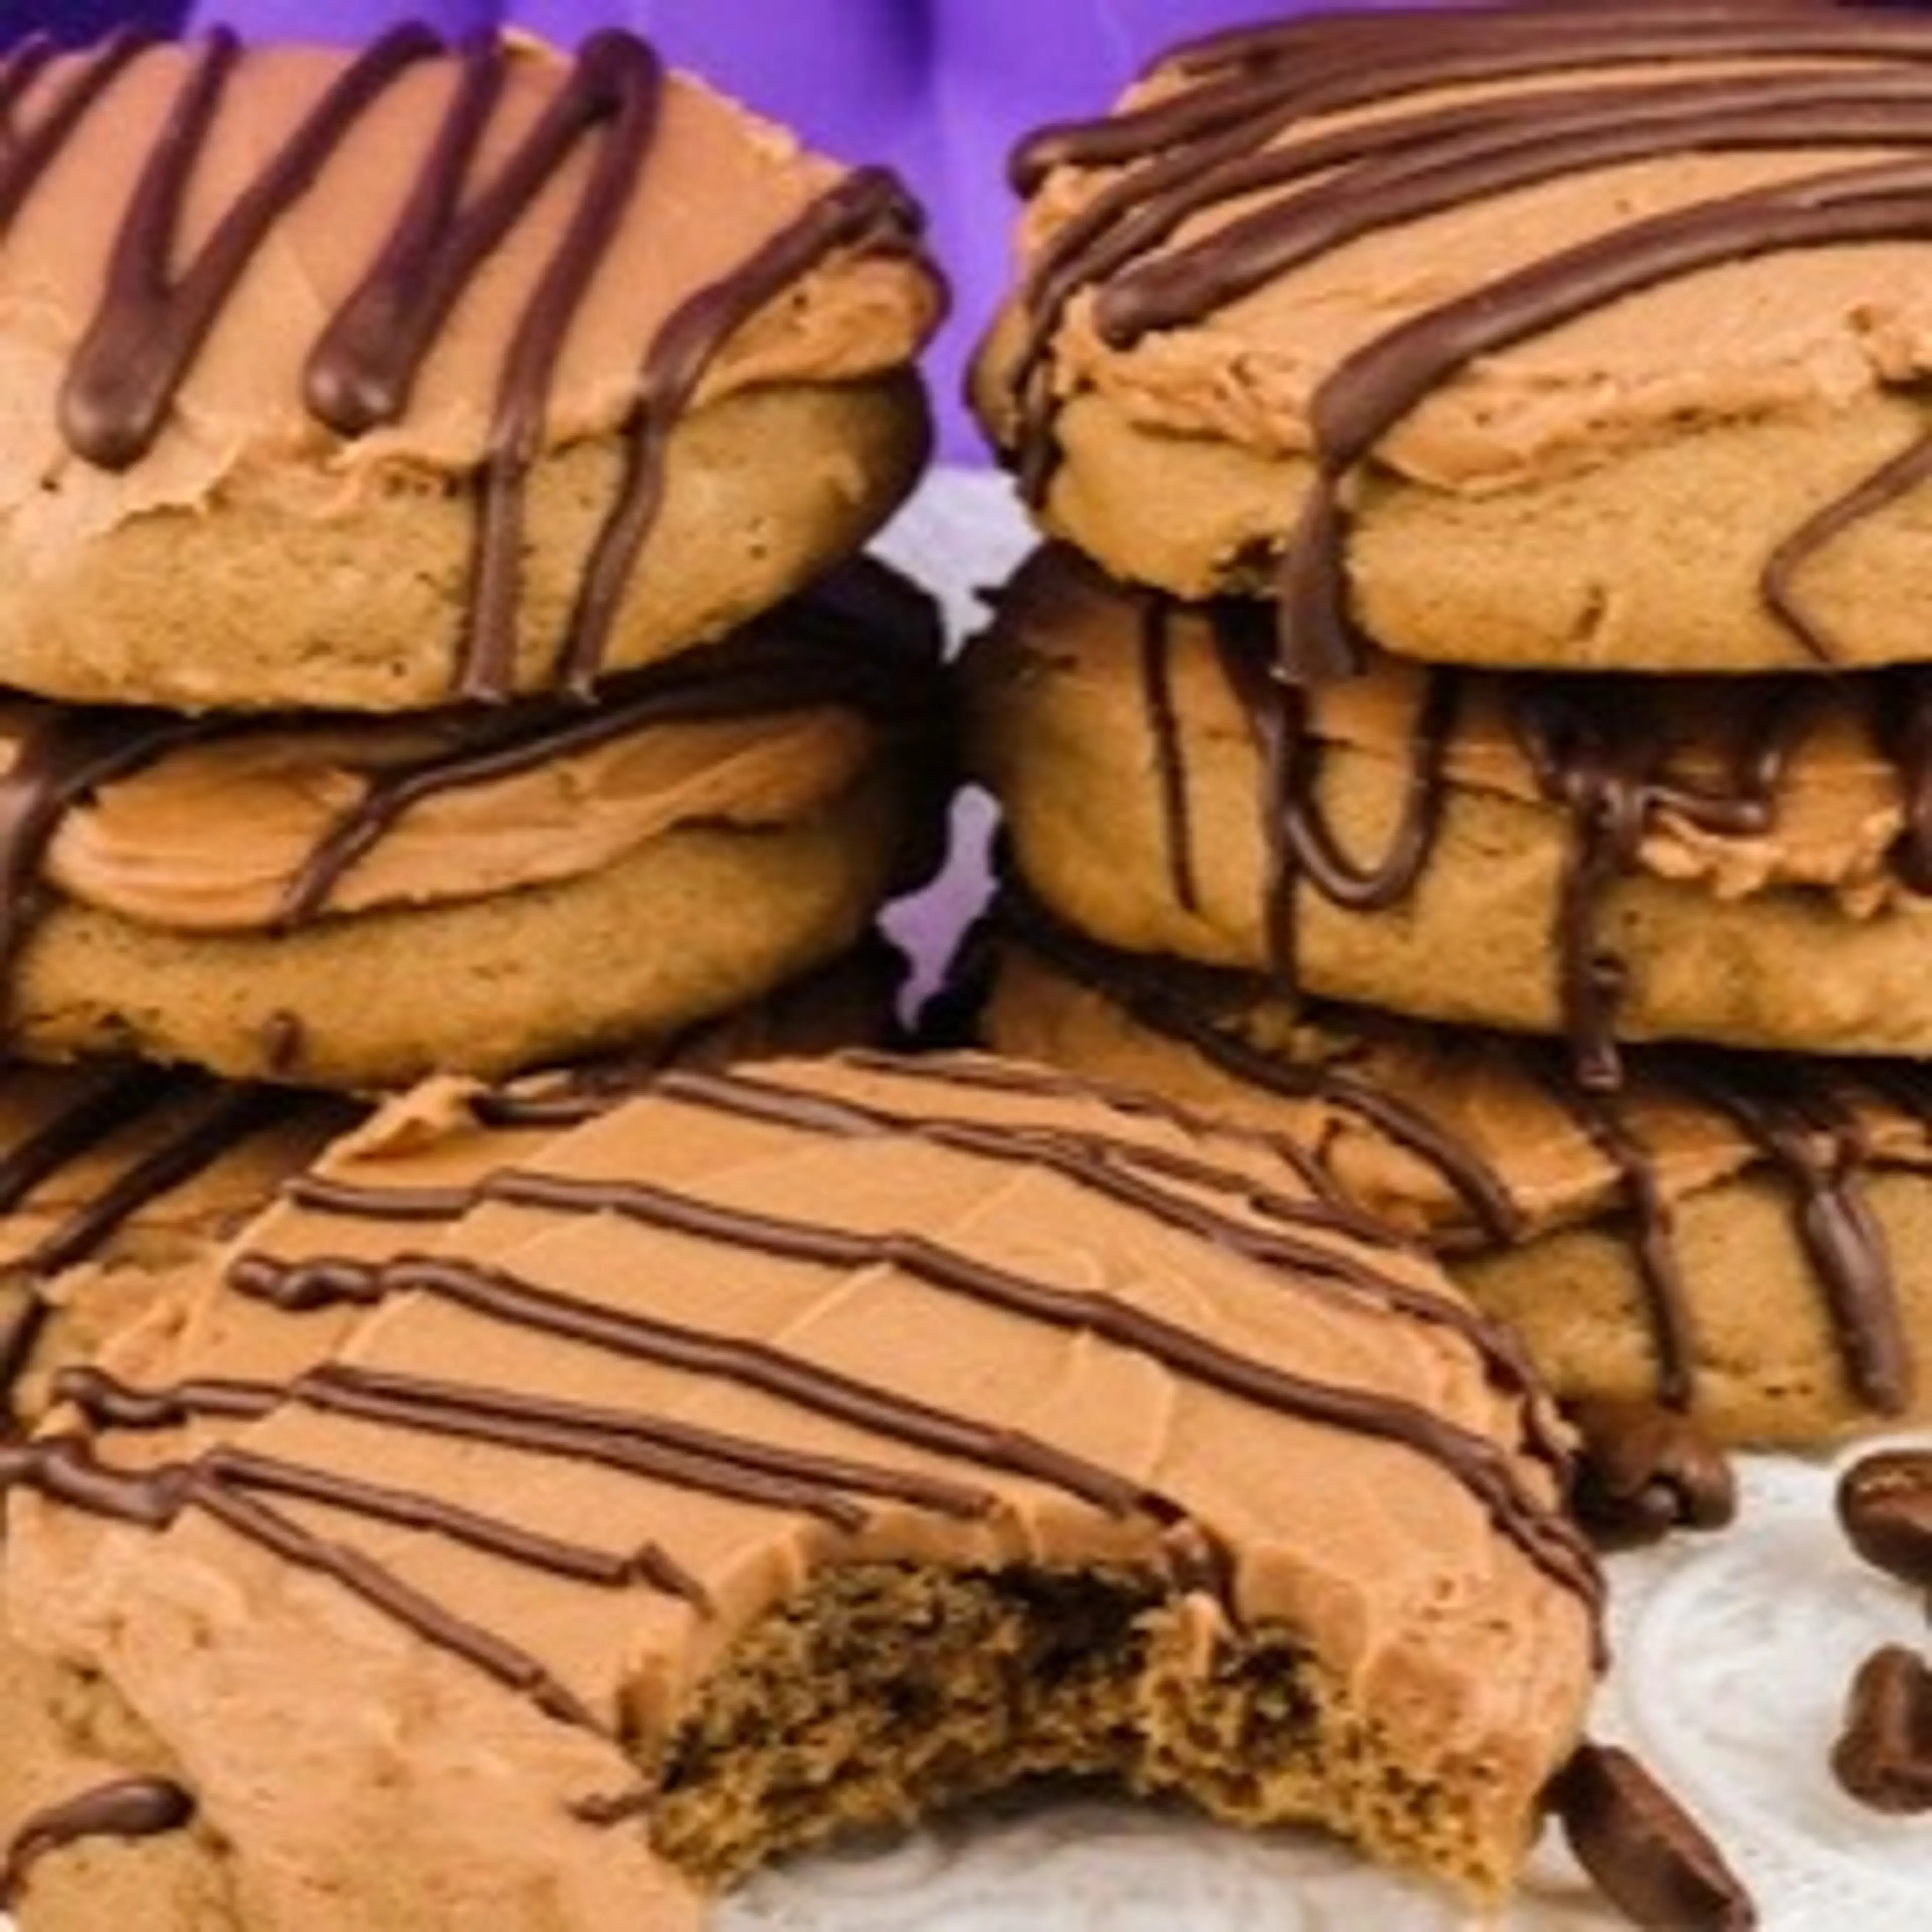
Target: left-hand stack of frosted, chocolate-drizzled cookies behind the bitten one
{"x":412,"y":656}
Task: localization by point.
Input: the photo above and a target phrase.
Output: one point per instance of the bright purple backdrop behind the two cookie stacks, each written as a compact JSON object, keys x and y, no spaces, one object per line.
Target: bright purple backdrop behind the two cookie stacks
{"x":936,"y":88}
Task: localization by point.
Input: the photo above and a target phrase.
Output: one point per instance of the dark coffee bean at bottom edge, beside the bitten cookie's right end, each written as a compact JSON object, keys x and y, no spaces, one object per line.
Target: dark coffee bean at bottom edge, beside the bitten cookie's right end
{"x":1645,"y":1852}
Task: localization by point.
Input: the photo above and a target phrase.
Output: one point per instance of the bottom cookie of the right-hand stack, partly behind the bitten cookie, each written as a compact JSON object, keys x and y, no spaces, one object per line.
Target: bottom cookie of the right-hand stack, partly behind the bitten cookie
{"x":1734,"y":1237}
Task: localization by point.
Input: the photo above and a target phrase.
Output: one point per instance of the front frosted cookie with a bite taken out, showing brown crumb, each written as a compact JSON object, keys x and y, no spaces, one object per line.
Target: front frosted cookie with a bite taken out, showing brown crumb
{"x":631,"y":1481}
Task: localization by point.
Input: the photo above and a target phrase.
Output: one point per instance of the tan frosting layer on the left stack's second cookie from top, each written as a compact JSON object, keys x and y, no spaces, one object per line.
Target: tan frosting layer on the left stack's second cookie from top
{"x":244,"y":824}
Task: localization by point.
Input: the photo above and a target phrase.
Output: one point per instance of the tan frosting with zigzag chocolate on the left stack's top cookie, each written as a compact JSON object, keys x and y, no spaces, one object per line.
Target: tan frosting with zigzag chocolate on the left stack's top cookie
{"x":318,"y":277}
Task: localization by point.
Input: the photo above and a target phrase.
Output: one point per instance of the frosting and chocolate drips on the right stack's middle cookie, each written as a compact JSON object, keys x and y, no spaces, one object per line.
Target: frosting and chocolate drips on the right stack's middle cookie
{"x":1794,"y":783}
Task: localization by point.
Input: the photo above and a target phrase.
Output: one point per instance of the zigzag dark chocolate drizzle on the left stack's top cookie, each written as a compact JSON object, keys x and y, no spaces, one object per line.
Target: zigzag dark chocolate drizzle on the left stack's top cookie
{"x":154,"y":320}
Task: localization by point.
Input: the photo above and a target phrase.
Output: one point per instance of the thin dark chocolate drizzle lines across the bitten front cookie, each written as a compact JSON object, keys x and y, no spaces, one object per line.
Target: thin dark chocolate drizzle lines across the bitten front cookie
{"x":254,"y":1491}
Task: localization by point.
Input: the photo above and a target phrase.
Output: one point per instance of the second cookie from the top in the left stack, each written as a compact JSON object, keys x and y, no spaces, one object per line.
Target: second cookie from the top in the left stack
{"x":353,"y":903}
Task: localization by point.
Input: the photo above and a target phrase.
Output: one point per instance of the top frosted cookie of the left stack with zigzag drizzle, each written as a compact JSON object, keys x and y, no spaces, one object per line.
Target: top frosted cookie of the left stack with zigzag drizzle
{"x":368,"y":380}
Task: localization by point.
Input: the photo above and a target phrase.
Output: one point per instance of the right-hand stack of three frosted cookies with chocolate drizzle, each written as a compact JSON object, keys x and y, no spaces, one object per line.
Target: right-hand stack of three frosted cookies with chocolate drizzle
{"x":1473,"y":710}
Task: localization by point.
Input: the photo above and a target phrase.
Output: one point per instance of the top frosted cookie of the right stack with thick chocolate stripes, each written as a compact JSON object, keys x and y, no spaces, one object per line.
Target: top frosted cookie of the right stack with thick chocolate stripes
{"x":1510,"y":335}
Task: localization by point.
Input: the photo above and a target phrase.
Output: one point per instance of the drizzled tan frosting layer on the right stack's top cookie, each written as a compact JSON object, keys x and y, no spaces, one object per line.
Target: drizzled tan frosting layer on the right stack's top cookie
{"x":1485,"y":244}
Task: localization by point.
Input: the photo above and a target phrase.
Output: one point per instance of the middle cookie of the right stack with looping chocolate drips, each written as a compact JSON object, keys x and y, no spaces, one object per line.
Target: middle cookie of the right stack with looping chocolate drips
{"x":1610,"y":859}
